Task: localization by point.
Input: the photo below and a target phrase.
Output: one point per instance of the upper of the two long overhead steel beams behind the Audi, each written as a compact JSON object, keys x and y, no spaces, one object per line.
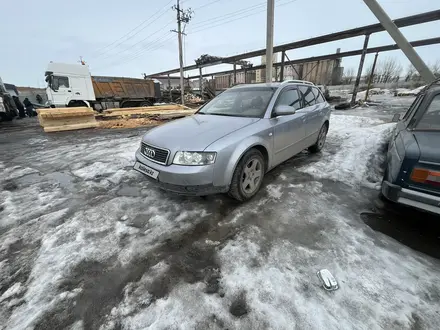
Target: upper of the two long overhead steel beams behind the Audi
{"x":356,"y":32}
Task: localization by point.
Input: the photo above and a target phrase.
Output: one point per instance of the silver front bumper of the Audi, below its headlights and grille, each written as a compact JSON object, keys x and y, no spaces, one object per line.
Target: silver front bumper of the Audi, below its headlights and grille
{"x":183,"y":180}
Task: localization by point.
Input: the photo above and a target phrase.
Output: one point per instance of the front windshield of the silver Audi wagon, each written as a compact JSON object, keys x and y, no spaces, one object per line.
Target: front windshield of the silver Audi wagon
{"x":240,"y":102}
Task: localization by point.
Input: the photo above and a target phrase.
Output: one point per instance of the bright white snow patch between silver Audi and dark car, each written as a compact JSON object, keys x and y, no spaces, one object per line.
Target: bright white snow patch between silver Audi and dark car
{"x":358,"y":139}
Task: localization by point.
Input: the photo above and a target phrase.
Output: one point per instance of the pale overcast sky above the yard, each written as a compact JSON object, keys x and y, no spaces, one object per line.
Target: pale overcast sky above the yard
{"x":37,"y":32}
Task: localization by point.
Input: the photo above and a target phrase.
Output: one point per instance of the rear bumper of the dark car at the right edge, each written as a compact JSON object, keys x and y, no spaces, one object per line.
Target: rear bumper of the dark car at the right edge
{"x":411,"y":197}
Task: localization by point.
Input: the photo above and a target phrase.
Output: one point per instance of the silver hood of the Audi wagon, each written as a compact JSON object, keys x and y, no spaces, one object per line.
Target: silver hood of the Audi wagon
{"x":196,"y":132}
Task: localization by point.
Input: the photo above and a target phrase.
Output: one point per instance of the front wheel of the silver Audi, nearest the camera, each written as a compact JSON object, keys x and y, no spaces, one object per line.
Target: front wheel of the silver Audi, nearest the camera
{"x":248,"y":176}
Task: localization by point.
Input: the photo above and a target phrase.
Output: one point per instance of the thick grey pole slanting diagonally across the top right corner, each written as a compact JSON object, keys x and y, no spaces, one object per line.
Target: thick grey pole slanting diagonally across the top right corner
{"x":400,"y":40}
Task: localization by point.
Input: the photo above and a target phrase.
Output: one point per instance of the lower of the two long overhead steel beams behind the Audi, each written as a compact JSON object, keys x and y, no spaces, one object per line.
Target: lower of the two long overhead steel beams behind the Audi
{"x":418,"y":43}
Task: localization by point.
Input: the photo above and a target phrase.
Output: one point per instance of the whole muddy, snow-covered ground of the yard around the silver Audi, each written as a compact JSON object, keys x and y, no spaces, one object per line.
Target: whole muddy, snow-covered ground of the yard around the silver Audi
{"x":88,"y":243}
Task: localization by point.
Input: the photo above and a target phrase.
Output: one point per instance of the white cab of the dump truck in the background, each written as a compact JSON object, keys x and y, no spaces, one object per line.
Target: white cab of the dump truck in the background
{"x":68,"y":83}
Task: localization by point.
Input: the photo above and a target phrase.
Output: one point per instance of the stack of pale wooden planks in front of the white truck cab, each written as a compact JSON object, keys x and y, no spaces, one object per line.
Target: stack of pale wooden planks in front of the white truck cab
{"x":66,"y":119}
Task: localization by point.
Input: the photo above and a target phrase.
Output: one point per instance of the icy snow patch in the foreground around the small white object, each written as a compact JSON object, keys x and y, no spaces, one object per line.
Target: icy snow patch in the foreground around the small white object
{"x":268,"y":276}
